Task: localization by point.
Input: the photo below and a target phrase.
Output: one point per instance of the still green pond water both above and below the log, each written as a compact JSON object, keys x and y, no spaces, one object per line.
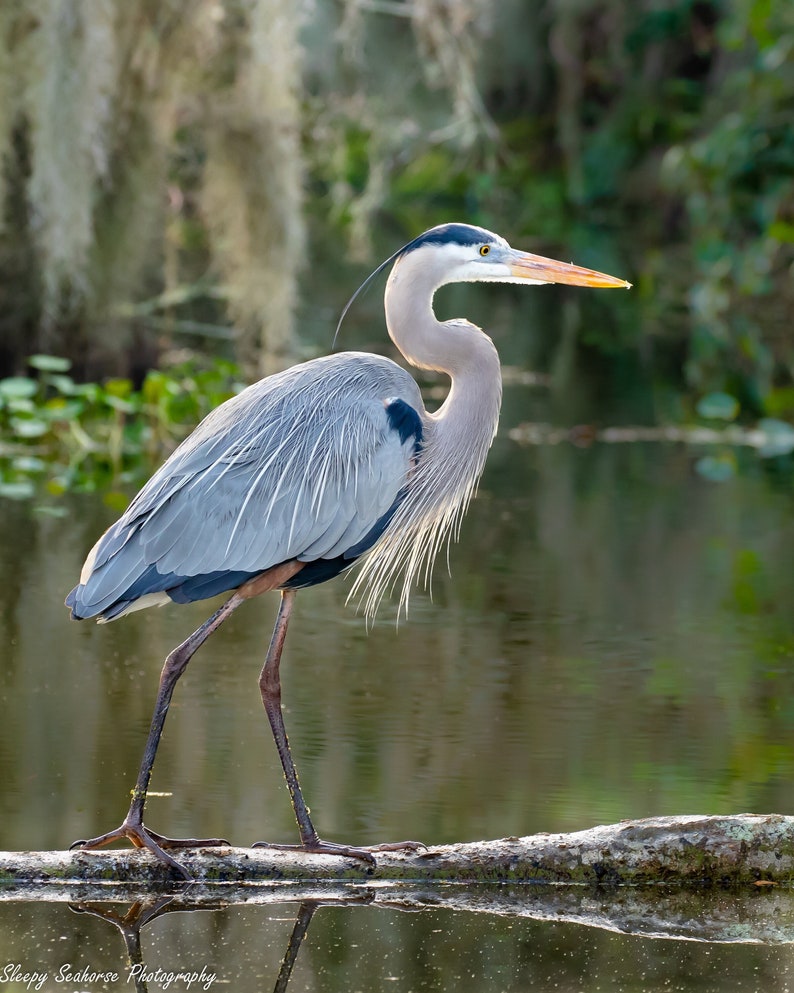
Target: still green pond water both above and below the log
{"x":615,"y":640}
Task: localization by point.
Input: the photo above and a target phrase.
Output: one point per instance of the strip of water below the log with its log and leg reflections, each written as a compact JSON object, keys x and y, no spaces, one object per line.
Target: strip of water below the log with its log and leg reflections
{"x":250,"y":947}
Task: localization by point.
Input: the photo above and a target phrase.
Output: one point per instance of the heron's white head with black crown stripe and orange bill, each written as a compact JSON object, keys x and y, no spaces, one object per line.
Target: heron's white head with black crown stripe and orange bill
{"x":457,"y":253}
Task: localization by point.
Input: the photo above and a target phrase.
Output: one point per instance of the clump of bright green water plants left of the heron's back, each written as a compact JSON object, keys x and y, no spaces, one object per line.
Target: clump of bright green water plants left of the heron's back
{"x":86,"y":436}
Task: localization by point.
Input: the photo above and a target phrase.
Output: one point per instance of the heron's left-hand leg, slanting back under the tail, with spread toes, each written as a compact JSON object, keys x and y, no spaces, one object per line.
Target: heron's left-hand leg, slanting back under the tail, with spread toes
{"x":132,"y":827}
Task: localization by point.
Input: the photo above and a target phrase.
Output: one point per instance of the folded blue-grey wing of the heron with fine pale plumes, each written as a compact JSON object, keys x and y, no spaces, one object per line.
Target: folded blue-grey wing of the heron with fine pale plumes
{"x":299,"y":466}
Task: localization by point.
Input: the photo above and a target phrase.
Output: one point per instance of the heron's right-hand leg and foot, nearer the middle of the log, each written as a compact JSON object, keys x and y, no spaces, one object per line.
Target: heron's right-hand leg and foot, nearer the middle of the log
{"x":270,"y":687}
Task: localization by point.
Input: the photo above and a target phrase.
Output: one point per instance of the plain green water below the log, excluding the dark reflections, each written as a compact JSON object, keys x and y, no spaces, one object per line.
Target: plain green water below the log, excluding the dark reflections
{"x":365,"y":949}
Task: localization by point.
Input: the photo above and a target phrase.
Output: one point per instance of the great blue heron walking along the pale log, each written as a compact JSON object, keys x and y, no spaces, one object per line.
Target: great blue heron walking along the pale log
{"x":303,"y":473}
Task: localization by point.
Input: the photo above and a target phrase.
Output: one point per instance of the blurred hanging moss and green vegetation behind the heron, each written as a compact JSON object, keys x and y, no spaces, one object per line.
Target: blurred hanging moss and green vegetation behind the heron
{"x":200,"y":180}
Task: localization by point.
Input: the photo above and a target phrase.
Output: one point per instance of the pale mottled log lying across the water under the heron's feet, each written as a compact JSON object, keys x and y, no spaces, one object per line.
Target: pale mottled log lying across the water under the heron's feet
{"x":690,"y":850}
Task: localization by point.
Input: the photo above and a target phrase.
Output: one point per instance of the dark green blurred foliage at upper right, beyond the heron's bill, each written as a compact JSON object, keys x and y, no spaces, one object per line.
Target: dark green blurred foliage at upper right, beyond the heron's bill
{"x":660,"y":145}
